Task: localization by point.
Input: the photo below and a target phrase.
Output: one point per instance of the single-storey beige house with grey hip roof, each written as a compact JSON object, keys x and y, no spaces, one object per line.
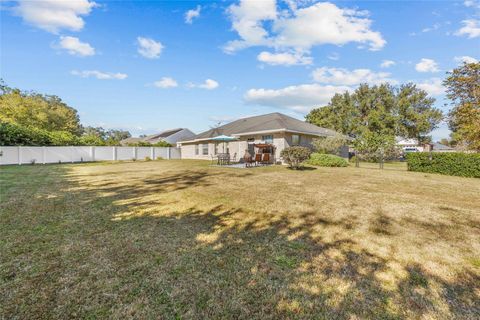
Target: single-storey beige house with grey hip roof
{"x":277,"y":129}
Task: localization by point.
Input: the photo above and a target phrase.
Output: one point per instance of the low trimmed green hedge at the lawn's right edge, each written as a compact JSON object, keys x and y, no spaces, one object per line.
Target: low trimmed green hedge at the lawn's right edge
{"x":451,"y":163}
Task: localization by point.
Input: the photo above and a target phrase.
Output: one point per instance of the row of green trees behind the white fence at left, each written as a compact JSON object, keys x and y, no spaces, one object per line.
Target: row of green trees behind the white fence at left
{"x":31,"y":118}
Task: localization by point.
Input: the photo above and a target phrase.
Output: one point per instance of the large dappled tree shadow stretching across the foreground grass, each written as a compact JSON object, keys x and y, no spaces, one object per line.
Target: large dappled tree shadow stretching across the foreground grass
{"x":219,"y":263}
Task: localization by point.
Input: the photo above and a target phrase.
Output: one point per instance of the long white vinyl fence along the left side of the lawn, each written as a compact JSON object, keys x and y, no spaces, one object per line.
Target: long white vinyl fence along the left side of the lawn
{"x":27,"y":155}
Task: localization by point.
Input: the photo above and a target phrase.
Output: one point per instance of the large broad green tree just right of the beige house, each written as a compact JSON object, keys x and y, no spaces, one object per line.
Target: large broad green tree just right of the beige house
{"x":405,"y":111}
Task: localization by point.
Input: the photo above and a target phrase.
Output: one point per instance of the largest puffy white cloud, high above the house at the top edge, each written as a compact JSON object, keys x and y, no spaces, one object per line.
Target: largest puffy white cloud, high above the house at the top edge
{"x":299,"y":28}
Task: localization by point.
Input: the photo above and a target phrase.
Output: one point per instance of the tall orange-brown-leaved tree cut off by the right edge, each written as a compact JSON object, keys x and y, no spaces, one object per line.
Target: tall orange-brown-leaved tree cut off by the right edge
{"x":463,"y":89}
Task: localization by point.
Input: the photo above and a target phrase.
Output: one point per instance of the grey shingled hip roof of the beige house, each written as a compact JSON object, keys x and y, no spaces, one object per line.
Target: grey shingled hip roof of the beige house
{"x":265,"y":123}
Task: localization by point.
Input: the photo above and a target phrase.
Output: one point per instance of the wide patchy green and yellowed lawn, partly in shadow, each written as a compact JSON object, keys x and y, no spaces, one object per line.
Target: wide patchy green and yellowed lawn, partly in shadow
{"x":180,"y":239}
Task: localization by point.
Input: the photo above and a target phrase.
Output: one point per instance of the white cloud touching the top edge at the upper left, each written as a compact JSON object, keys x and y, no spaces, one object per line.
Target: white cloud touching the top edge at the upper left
{"x":54,"y":15}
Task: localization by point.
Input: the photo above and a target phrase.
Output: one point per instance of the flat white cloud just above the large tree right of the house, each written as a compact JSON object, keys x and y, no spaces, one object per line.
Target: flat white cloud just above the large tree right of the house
{"x":340,"y":76}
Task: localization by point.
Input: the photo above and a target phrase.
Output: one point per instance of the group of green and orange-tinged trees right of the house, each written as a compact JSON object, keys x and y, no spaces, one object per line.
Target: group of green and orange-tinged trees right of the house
{"x":375,"y":115}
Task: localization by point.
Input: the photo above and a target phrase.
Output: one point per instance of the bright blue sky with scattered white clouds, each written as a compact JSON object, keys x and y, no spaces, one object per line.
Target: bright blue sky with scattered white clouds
{"x":150,"y":65}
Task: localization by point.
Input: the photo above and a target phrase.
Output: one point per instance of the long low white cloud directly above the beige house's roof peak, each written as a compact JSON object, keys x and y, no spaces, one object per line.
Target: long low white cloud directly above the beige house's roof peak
{"x":301,"y":98}
